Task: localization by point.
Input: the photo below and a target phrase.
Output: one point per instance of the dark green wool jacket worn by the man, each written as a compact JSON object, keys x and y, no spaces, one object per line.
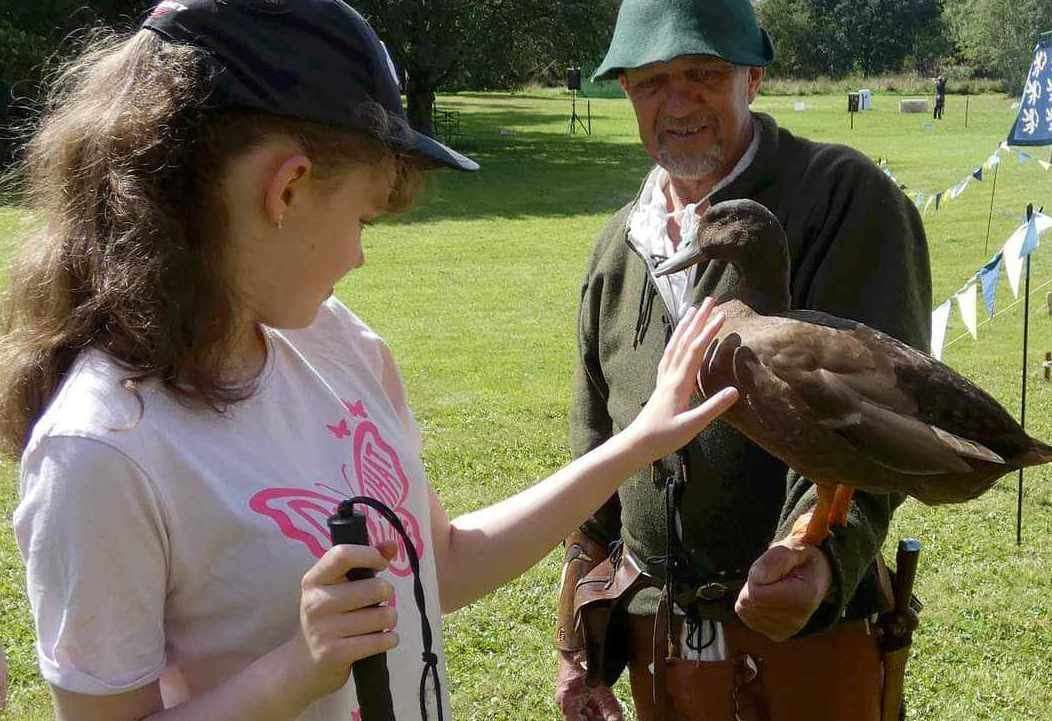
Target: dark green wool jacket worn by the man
{"x":859,"y":251}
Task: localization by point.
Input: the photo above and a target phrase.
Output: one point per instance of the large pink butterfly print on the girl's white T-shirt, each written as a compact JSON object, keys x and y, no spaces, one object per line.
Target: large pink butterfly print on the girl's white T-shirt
{"x":301,"y":515}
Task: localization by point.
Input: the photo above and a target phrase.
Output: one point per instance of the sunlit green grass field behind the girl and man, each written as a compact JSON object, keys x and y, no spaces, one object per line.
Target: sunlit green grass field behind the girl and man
{"x":476,"y":293}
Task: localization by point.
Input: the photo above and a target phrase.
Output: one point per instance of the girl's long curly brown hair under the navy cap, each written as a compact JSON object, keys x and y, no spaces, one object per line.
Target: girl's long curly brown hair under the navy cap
{"x":128,"y":254}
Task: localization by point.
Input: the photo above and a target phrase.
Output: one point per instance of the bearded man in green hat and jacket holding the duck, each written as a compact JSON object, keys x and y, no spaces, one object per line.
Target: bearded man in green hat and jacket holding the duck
{"x":730,"y":616}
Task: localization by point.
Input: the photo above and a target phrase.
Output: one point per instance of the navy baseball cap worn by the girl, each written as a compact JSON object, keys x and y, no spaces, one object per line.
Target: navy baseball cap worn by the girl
{"x":316,"y":61}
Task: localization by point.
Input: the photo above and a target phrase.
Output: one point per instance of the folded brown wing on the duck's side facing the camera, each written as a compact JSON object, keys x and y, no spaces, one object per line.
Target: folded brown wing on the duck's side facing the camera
{"x":841,"y":384}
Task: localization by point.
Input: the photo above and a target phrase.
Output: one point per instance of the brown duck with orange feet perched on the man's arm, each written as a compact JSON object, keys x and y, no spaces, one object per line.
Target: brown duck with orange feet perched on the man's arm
{"x":845,"y":406}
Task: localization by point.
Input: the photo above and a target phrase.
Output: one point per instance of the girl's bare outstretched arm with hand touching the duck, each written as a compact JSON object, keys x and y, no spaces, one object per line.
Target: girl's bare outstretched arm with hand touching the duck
{"x":481,"y":551}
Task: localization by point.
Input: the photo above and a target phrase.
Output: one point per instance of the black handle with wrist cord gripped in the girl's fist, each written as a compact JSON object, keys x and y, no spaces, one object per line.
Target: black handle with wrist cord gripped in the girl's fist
{"x":372,"y":680}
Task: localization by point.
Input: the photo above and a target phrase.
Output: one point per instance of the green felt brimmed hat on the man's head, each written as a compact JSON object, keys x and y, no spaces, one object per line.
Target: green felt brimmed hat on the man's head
{"x":659,"y":31}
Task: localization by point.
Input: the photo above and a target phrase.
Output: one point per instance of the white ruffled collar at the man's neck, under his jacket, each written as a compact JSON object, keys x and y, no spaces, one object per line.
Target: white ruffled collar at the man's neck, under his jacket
{"x":649,"y":226}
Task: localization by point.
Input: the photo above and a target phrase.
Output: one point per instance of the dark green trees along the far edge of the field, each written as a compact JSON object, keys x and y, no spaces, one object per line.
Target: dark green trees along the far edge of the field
{"x":500,"y":45}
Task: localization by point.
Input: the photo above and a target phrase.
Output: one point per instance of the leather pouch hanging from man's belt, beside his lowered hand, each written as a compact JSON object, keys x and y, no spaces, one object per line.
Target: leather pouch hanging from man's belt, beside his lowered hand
{"x":600,"y":612}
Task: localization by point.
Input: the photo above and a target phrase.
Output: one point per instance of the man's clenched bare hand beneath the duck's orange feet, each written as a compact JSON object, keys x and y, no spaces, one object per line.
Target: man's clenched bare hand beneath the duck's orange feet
{"x":785,"y":588}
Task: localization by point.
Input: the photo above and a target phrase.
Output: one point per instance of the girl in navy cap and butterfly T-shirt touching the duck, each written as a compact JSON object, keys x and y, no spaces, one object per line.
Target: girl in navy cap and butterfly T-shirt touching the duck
{"x":191,"y":404}
